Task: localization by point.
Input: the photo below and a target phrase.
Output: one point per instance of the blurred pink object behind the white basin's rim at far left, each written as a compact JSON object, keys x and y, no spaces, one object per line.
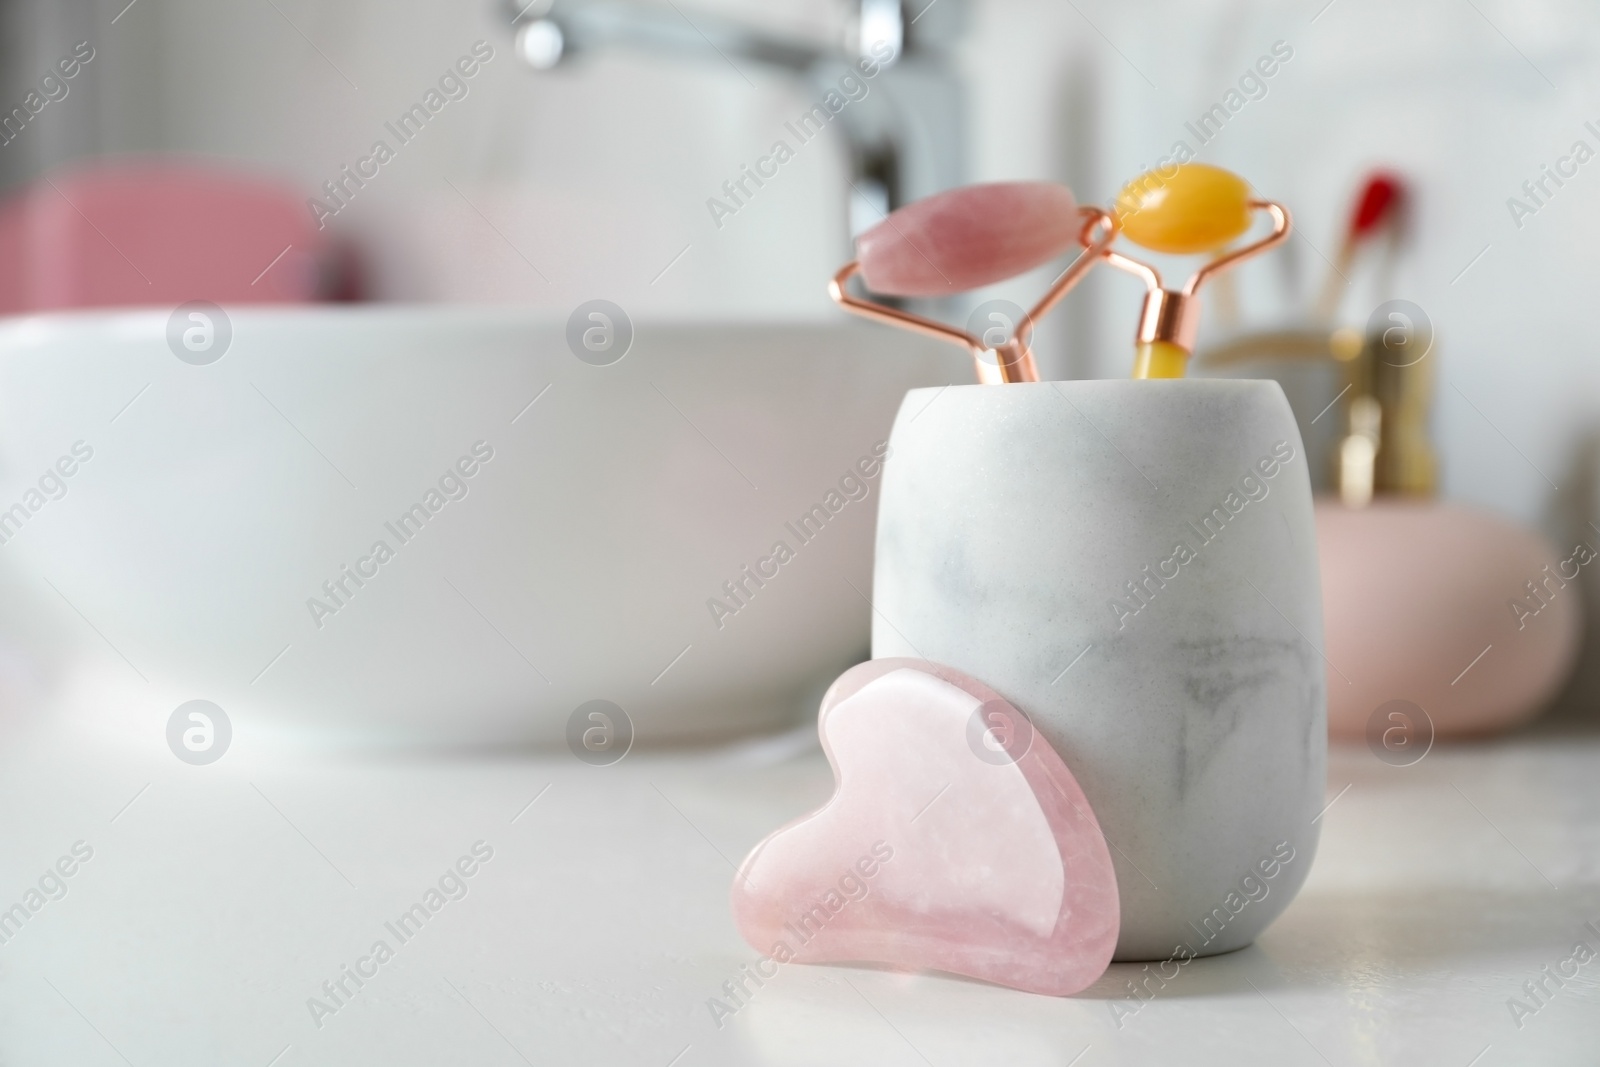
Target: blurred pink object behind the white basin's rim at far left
{"x":159,"y":233}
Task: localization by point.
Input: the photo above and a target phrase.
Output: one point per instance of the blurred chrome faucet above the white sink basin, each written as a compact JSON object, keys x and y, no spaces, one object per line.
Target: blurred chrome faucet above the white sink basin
{"x":905,"y":140}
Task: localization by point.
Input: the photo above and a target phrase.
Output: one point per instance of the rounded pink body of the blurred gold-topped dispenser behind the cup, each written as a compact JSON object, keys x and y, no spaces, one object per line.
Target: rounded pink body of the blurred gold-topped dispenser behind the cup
{"x":1422,"y":602}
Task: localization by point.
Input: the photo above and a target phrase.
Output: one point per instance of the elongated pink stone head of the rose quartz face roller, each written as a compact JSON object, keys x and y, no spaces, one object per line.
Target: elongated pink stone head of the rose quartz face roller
{"x":967,"y":238}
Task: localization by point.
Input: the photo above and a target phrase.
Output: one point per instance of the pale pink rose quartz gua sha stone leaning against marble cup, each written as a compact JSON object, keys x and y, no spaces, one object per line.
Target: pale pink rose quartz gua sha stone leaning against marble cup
{"x":956,"y":841}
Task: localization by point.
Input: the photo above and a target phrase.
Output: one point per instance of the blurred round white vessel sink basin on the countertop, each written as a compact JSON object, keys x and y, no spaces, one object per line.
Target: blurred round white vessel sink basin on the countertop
{"x":186,"y":556}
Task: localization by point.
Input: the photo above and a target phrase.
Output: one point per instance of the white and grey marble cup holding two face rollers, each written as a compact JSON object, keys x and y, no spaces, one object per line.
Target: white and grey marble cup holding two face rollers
{"x":1134,"y":565}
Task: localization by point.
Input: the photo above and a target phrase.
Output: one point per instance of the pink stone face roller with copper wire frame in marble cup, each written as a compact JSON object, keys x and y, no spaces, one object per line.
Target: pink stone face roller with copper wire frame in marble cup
{"x":969,"y":238}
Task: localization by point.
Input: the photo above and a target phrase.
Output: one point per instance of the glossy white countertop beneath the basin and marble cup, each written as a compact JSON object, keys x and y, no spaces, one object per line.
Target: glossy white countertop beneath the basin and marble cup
{"x":220,"y":898}
